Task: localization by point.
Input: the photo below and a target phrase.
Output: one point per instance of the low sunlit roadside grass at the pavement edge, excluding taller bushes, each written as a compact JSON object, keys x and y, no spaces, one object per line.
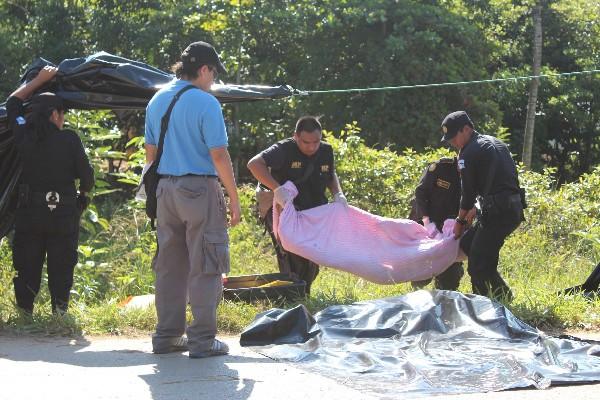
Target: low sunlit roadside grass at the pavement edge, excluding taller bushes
{"x":535,"y":285}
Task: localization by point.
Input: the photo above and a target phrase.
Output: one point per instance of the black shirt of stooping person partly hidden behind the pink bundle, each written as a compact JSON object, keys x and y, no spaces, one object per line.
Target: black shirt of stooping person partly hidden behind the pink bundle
{"x":438,"y":193}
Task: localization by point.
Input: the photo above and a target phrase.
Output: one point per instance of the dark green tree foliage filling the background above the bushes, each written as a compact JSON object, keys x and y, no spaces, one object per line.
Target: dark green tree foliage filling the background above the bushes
{"x":338,"y":44}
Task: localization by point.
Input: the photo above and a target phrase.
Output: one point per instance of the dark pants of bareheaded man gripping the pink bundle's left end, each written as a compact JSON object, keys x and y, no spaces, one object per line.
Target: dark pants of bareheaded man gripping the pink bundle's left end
{"x":290,"y":263}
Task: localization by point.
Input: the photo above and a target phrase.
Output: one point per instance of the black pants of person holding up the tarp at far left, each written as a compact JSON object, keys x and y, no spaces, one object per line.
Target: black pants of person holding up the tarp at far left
{"x":41,"y":234}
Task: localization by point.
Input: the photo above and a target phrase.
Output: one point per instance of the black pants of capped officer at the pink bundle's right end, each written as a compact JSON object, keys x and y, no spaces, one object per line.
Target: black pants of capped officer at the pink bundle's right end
{"x":483,"y":242}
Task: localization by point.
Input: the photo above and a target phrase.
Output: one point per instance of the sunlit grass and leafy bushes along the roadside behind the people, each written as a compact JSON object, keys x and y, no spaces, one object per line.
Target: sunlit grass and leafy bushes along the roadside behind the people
{"x":556,"y":248}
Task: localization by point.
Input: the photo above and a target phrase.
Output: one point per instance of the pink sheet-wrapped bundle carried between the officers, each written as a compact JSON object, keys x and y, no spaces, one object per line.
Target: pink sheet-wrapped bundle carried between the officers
{"x":378,"y":249}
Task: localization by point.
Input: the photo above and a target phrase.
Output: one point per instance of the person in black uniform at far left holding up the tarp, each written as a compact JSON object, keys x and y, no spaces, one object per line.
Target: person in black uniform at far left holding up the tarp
{"x":48,"y":208}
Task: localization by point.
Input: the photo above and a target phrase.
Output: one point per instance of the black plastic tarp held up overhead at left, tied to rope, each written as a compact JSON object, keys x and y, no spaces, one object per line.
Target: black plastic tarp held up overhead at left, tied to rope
{"x":104,"y":81}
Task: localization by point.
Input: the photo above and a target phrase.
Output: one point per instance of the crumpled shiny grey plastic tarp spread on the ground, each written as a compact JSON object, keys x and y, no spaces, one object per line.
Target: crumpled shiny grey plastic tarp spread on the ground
{"x":428,"y":342}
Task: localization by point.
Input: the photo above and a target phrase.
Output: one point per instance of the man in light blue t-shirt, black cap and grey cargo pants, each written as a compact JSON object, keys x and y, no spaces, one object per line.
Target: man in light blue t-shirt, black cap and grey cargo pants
{"x":193,"y":244}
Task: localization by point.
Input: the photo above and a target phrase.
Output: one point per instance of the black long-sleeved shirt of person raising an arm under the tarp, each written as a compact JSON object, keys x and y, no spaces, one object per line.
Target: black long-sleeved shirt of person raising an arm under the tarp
{"x":53,"y":163}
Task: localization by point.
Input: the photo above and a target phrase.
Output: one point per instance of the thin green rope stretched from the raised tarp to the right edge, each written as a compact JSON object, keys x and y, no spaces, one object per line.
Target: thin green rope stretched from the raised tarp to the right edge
{"x":462,"y":83}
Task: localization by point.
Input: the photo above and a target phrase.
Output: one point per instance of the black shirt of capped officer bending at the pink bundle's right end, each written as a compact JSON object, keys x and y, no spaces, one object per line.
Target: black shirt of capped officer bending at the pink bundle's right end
{"x":475,"y":160}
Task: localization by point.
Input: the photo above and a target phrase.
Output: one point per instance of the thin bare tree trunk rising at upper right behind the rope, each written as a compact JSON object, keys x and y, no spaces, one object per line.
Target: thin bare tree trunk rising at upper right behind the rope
{"x":533,"y":88}
